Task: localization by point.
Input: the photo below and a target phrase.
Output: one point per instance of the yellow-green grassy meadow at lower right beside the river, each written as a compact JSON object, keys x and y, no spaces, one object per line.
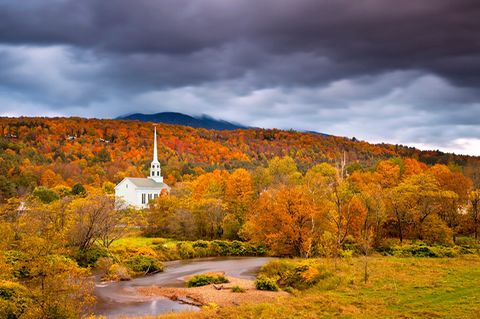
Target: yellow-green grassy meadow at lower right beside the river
{"x":397,"y":288}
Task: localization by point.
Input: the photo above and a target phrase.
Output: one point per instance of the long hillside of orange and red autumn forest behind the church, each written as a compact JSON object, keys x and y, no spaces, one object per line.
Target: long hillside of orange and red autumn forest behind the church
{"x":55,"y":151}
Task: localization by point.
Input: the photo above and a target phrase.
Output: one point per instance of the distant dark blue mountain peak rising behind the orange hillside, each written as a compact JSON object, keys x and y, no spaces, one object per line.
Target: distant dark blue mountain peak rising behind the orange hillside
{"x":203,"y":121}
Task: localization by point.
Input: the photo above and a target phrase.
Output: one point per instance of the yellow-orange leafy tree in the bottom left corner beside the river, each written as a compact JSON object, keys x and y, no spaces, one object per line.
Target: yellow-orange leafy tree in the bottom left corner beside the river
{"x":47,"y":283}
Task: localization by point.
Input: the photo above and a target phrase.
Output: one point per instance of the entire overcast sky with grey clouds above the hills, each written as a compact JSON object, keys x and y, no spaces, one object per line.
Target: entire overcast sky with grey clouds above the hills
{"x":381,"y":70}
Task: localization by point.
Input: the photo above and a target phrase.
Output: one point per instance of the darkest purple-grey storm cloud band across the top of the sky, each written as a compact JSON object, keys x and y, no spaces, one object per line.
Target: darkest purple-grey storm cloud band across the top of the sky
{"x":359,"y":36}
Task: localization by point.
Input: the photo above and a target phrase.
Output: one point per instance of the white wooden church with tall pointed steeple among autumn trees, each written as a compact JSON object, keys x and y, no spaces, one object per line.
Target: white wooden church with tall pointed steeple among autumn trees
{"x":137,"y":192}
